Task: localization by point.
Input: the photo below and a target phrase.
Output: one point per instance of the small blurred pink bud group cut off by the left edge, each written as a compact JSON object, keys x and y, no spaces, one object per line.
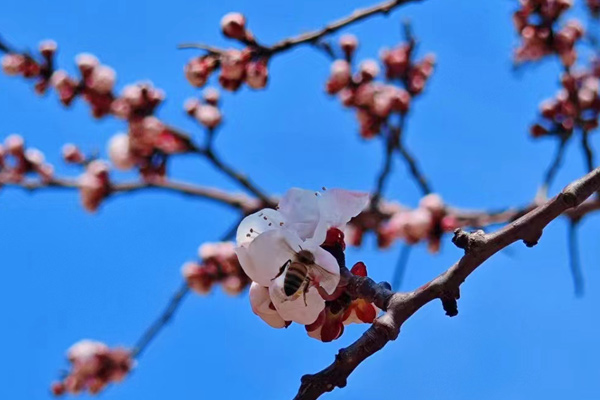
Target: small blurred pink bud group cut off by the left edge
{"x":16,"y":161}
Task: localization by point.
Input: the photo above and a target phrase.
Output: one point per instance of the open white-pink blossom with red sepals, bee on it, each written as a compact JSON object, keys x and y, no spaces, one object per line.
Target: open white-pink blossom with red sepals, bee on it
{"x":293,"y":256}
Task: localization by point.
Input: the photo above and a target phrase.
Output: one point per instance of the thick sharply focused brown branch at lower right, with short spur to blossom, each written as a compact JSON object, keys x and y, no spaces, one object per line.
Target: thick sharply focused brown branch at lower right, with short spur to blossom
{"x":478,"y":246}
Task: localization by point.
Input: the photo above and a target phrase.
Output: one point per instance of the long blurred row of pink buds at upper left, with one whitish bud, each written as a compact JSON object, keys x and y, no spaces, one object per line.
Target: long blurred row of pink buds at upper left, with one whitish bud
{"x":148,"y":141}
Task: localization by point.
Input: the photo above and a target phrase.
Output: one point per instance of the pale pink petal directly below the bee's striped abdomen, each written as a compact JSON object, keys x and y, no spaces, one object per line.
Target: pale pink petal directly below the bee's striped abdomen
{"x":294,"y":308}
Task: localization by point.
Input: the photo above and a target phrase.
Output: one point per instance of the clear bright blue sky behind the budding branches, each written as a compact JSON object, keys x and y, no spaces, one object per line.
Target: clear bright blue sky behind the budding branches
{"x":68,"y":275}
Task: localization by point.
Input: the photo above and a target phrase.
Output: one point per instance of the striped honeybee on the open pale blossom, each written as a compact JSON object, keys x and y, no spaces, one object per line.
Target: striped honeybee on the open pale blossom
{"x":299,"y":274}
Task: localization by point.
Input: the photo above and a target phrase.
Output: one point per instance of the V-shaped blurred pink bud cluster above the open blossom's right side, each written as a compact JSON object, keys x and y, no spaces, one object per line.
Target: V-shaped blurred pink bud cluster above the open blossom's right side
{"x":374,"y":101}
